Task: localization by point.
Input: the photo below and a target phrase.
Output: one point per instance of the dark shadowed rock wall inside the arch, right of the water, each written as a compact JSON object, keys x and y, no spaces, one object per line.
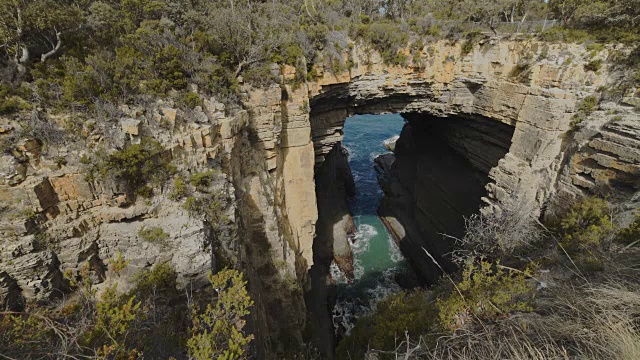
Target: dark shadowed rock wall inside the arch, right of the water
{"x":436,"y":178}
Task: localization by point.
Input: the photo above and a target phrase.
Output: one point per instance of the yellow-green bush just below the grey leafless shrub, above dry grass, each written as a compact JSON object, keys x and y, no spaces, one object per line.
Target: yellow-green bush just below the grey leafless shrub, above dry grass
{"x":485,"y":292}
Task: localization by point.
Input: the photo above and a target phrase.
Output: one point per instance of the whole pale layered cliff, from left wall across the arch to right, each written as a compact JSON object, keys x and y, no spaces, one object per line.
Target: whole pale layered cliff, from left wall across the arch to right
{"x":268,"y":154}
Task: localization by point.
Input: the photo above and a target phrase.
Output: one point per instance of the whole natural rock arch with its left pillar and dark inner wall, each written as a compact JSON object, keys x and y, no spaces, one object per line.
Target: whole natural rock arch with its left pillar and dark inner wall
{"x":500,"y":116}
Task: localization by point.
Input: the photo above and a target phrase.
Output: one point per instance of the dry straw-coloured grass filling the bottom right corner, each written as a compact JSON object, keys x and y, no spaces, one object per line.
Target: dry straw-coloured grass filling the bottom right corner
{"x":586,"y":322}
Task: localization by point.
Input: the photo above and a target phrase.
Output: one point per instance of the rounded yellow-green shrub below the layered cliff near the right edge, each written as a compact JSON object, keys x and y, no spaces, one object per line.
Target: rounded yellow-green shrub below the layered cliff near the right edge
{"x":586,"y":226}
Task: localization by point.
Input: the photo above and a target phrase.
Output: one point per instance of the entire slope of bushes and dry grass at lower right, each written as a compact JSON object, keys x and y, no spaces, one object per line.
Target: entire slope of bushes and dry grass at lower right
{"x":572,"y":292}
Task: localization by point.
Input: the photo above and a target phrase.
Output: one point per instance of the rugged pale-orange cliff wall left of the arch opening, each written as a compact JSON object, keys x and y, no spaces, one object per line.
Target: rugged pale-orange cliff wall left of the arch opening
{"x":58,"y":225}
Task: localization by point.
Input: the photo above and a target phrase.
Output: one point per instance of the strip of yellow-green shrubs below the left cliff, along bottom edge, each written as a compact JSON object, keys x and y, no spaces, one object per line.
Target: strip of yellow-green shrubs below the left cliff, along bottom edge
{"x":152,"y":320}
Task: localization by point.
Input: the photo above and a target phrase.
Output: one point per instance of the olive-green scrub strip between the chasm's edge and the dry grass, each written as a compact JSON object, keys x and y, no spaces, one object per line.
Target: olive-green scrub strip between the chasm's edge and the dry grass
{"x":485,"y":293}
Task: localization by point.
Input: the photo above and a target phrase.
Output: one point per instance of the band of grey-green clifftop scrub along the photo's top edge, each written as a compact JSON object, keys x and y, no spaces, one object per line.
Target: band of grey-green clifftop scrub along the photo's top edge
{"x":85,"y":53}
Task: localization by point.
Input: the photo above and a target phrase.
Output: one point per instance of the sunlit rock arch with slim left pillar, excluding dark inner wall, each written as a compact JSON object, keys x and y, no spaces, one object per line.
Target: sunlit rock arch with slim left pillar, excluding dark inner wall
{"x":524,"y":109}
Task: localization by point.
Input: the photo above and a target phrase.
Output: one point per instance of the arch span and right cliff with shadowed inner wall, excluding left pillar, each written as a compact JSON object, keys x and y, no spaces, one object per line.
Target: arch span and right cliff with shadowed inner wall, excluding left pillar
{"x":502,"y":112}
